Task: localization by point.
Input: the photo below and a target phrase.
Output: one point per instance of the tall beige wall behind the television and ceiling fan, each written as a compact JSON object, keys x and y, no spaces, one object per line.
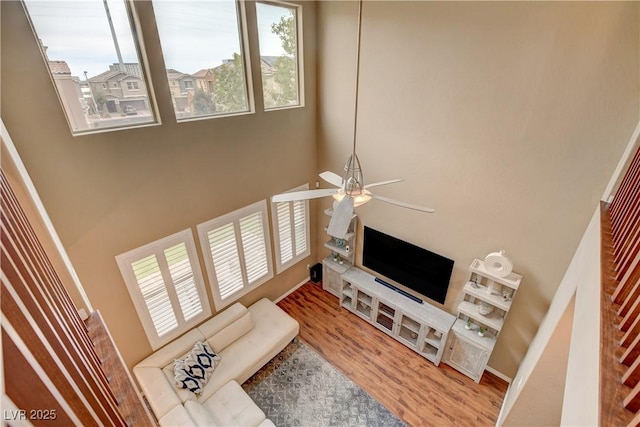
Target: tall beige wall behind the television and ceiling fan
{"x":508,"y":118}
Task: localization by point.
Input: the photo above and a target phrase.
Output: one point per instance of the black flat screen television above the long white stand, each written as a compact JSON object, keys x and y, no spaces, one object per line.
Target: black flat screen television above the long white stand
{"x":409,"y":265}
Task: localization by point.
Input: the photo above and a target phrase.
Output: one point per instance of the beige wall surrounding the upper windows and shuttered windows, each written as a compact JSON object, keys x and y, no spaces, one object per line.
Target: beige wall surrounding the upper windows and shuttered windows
{"x":112,"y":192}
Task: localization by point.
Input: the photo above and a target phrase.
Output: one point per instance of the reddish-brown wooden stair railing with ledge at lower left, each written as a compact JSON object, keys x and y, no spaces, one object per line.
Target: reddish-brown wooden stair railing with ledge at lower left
{"x":57,"y":369}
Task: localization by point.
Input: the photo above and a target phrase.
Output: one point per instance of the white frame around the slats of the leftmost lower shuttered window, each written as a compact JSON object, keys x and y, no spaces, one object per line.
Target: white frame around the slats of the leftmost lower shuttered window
{"x":124,"y":263}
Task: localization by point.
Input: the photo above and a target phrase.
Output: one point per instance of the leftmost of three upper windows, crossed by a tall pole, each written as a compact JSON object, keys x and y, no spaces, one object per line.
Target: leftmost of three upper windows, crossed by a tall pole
{"x":89,"y":47}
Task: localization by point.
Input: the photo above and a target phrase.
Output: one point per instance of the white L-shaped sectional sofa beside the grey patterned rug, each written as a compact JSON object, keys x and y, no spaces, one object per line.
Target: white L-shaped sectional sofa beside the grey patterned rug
{"x":246,"y":339}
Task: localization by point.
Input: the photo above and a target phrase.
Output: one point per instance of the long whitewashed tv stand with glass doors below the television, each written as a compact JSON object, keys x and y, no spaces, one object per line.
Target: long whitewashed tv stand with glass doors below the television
{"x":421,"y":327}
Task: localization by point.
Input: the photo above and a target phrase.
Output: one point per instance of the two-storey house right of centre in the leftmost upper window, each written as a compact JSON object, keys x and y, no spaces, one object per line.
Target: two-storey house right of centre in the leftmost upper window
{"x":120,"y":90}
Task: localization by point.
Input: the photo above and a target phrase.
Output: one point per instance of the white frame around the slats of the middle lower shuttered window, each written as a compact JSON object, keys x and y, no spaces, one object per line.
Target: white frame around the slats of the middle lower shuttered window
{"x":234,"y":218}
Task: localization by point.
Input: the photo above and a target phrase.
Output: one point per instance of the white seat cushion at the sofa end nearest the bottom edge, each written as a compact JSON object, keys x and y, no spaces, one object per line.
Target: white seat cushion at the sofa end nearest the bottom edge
{"x":232,"y":406}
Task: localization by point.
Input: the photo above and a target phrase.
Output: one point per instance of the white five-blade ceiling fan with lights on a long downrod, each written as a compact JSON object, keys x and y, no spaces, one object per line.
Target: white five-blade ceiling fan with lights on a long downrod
{"x":350,"y":190}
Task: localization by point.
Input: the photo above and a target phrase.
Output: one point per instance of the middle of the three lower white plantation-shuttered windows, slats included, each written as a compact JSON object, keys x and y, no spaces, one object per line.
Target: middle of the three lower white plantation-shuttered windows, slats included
{"x":237,"y":252}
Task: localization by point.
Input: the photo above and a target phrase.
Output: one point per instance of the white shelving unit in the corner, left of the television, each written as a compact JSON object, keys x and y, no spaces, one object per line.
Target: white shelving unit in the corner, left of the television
{"x":341,"y":257}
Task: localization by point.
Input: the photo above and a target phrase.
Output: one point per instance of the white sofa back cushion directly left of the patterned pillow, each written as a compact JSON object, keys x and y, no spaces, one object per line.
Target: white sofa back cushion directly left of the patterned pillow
{"x":160,"y":394}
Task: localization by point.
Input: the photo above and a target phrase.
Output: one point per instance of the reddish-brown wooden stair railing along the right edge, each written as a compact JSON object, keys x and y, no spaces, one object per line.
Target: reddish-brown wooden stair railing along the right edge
{"x":620,"y":311}
